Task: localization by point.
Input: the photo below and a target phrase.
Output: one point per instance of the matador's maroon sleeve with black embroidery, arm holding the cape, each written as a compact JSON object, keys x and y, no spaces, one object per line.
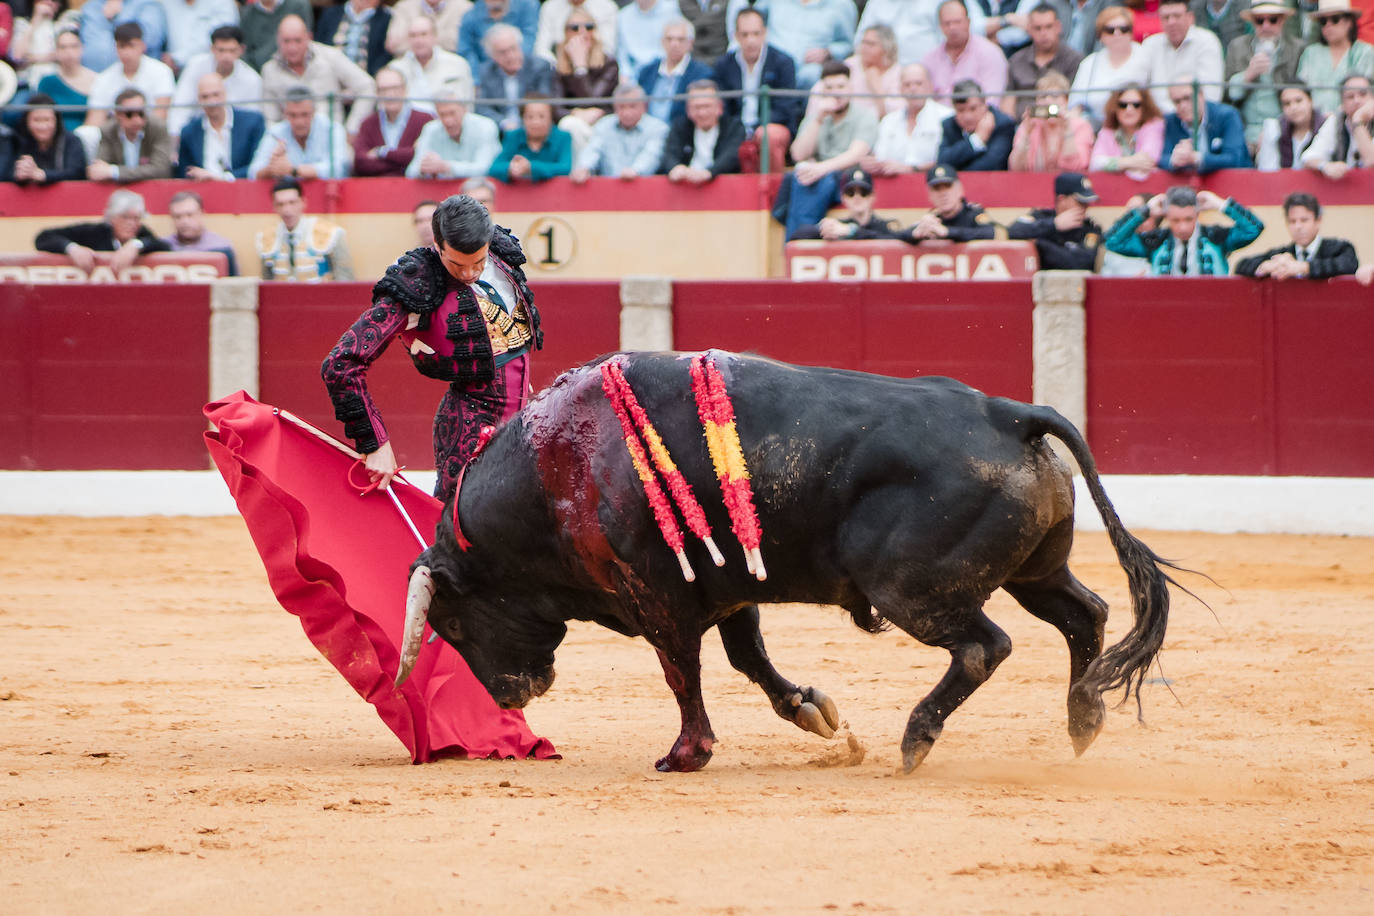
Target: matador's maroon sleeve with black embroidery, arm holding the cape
{"x":346,"y":373}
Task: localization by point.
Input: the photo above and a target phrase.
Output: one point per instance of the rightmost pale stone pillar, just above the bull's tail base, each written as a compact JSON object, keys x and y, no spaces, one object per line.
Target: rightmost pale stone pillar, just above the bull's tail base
{"x":1060,"y":347}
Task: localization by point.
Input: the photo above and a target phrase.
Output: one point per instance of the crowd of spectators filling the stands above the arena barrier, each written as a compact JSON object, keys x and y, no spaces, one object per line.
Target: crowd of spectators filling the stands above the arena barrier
{"x":832,"y":93}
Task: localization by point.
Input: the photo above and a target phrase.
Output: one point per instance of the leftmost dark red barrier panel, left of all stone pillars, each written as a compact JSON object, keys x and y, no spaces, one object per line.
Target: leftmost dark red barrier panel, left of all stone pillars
{"x":104,"y":377}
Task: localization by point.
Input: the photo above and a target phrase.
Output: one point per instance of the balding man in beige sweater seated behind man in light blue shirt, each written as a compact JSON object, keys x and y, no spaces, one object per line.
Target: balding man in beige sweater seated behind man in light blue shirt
{"x":319,"y":68}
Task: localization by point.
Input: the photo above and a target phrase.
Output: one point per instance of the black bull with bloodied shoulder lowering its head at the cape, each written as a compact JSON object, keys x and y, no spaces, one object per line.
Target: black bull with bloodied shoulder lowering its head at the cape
{"x":905,"y":502}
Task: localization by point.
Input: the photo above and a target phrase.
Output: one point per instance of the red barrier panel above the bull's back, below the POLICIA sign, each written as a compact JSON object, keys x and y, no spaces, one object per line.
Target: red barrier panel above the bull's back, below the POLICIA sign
{"x":979,"y":333}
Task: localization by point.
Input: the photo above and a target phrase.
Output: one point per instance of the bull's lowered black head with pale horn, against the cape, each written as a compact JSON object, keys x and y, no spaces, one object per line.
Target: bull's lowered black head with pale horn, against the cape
{"x":509,"y":648}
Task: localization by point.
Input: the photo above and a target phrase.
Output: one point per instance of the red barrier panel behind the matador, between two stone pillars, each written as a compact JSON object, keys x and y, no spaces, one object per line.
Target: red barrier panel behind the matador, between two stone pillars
{"x":300,"y":323}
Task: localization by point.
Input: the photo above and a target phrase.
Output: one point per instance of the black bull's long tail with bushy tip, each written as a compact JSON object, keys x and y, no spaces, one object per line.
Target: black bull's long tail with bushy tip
{"x":1127,"y":663}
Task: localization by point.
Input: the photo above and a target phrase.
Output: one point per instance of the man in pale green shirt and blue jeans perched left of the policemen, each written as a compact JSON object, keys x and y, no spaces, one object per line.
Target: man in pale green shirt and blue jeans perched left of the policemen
{"x":833,"y":139}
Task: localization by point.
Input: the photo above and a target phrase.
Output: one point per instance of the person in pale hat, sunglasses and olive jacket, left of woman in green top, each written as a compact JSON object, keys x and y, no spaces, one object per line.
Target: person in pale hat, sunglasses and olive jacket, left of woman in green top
{"x":1268,"y":58}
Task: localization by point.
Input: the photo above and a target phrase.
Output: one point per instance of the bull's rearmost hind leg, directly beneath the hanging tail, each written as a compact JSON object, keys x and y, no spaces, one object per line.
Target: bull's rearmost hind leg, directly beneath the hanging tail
{"x":1078,"y":613}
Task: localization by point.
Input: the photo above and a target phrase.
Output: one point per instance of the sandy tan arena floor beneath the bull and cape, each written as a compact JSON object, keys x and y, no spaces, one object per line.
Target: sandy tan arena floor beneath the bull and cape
{"x":171,"y":742}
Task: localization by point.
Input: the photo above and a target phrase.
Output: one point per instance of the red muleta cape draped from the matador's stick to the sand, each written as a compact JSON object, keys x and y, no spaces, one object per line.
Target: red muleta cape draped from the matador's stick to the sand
{"x":339,"y":561}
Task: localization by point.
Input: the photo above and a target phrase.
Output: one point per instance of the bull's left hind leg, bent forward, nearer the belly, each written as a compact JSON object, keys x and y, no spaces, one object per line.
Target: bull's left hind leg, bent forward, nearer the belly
{"x":976,"y":648}
